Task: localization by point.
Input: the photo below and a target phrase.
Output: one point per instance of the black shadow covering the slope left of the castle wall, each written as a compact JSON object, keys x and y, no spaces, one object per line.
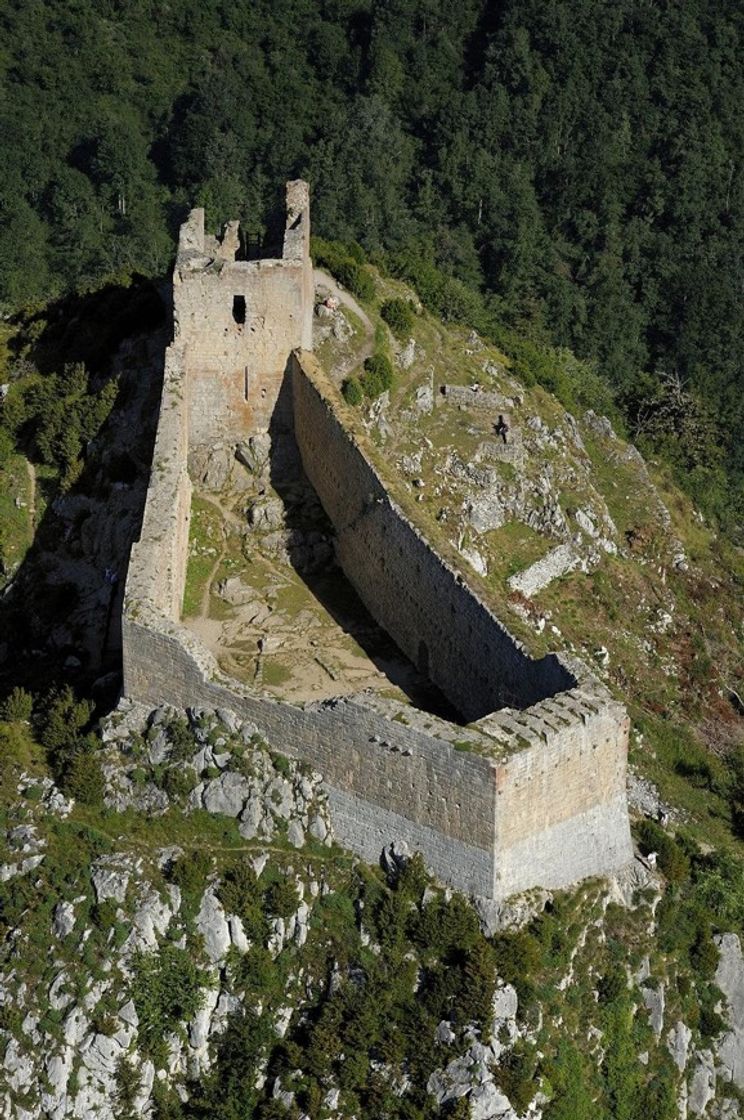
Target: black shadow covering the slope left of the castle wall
{"x":61,"y":611}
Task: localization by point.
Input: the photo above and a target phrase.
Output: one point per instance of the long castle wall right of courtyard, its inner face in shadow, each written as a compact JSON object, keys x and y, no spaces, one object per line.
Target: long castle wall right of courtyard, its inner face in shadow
{"x":423,"y":603}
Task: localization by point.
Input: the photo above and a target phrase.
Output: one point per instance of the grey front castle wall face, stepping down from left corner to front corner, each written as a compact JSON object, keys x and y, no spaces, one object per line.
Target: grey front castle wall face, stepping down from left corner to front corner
{"x":386,"y":781}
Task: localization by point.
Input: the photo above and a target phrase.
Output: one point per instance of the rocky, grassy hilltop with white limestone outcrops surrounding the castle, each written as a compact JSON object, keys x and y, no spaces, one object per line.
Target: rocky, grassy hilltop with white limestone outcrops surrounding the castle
{"x":291,"y":978}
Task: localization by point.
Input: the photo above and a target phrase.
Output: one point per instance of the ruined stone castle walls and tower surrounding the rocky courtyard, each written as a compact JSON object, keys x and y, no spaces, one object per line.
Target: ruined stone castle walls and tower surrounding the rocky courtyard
{"x":540,"y":798}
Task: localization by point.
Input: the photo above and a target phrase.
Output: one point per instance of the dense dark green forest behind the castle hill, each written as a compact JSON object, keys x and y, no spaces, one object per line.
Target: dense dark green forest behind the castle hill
{"x":576,"y":164}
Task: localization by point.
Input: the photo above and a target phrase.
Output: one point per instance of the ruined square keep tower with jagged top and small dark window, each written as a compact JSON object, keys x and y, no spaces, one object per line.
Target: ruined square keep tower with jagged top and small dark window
{"x":237,"y":322}
